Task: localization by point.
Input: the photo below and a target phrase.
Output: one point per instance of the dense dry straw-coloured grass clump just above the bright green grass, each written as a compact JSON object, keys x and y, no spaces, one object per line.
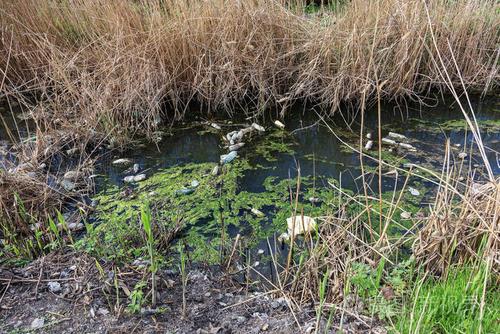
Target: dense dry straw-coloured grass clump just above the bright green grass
{"x":461,"y":228}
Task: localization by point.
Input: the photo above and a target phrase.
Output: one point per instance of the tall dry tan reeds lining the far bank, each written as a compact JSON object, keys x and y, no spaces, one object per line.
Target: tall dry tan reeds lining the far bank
{"x":114,"y":66}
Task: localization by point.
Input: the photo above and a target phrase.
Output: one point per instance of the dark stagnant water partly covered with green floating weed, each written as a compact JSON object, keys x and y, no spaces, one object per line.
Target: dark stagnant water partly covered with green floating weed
{"x":267,"y":169}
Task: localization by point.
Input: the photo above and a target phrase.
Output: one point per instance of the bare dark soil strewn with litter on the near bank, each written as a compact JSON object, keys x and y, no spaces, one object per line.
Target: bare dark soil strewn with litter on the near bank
{"x":70,"y":293}
